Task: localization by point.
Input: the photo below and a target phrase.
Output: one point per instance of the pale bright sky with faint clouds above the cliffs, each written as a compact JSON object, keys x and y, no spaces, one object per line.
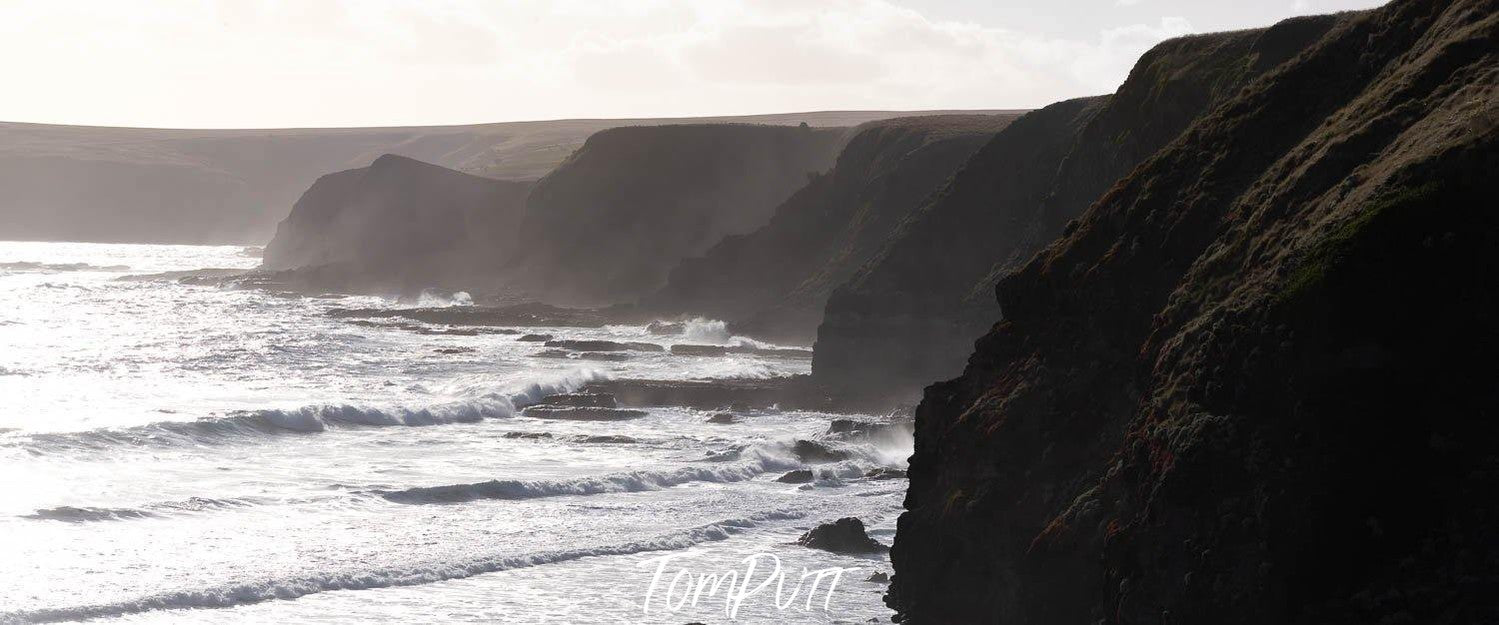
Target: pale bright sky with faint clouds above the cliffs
{"x":299,"y":64}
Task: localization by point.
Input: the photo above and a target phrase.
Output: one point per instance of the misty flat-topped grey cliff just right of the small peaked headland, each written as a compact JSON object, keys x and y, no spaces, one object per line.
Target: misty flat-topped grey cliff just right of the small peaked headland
{"x":612,"y":221}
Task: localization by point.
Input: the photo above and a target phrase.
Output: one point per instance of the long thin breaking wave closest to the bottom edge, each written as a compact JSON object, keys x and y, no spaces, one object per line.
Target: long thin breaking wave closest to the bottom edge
{"x":289,"y":588}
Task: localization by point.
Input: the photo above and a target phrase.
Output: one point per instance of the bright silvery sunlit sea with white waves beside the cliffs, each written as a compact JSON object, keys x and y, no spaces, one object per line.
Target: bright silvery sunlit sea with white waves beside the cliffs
{"x":200,"y":453}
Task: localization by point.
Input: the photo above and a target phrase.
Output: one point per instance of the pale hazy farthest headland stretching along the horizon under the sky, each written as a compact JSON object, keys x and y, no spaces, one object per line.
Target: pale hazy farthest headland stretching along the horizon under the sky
{"x":233,"y":187}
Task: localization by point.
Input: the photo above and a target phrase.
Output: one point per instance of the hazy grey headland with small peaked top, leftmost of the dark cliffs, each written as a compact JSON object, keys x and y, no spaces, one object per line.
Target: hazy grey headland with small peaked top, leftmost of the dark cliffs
{"x":399,"y":223}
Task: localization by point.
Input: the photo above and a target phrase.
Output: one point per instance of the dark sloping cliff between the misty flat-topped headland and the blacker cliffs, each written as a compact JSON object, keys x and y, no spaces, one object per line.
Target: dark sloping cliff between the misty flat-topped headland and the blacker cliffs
{"x":773,"y":283}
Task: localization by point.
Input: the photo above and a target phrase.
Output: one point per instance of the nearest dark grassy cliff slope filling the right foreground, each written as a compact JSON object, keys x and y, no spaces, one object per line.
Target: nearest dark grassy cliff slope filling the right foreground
{"x":1255,"y":383}
